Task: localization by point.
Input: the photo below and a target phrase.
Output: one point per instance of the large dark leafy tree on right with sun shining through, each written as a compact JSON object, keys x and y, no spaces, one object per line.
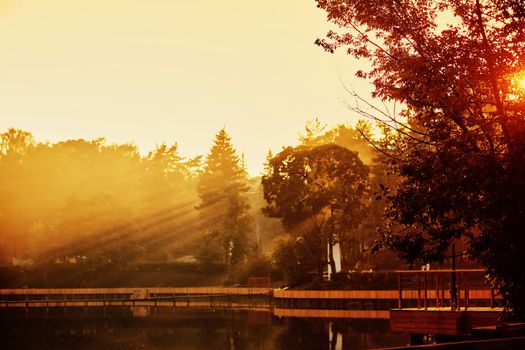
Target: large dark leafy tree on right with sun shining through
{"x":455,"y":66}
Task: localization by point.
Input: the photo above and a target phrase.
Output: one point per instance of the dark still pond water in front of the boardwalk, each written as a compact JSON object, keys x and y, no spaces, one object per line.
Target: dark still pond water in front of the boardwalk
{"x":168,"y":328}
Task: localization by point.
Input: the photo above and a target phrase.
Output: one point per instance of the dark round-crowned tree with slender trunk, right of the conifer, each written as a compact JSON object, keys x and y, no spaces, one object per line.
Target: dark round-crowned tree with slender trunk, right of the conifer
{"x":318,"y":194}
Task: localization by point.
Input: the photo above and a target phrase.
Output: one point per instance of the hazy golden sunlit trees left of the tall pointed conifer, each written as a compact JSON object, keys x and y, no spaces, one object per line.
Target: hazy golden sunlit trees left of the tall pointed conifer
{"x":91,"y":198}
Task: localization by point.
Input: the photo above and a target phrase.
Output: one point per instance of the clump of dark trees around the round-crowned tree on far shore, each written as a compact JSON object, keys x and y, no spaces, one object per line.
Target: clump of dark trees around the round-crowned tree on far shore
{"x":328,"y":191}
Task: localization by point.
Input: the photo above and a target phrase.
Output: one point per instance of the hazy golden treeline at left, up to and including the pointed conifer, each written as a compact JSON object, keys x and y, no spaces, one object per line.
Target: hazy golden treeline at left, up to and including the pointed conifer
{"x":109,"y":204}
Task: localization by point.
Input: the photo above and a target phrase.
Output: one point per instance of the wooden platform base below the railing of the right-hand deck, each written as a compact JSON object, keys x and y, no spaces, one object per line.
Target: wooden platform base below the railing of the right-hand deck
{"x":443,"y":320}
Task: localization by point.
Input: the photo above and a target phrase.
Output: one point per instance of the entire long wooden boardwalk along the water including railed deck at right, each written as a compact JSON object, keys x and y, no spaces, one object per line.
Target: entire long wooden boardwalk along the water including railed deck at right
{"x":422,"y":304}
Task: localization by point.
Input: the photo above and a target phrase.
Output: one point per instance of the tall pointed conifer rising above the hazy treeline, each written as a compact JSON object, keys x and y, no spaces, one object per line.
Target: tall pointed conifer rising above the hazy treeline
{"x":224,"y":206}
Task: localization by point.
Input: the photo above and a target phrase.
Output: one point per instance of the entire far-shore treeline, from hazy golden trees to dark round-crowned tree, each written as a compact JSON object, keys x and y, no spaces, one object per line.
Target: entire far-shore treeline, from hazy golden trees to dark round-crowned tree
{"x":108,"y":205}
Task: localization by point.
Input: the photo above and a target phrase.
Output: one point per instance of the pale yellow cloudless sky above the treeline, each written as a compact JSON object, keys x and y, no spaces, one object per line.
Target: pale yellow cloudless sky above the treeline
{"x":153,"y":71}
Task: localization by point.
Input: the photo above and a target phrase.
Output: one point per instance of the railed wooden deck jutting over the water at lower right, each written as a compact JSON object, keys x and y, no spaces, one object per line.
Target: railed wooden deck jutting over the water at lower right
{"x":448,"y":307}
